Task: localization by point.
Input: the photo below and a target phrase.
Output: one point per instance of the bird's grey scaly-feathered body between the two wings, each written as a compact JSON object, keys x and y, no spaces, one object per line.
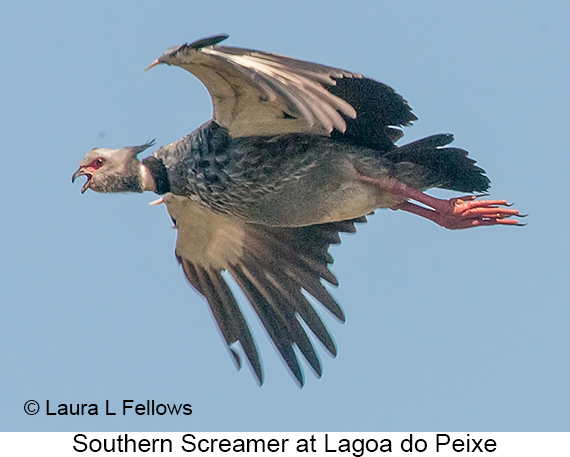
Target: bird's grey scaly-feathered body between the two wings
{"x":287,"y":180}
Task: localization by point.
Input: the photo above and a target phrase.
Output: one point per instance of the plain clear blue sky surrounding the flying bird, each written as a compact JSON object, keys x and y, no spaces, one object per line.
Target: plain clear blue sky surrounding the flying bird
{"x":445,"y":330}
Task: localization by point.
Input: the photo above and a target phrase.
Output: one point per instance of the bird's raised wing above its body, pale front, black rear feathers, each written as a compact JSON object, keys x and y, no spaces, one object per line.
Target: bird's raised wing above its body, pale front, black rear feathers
{"x":258,"y":93}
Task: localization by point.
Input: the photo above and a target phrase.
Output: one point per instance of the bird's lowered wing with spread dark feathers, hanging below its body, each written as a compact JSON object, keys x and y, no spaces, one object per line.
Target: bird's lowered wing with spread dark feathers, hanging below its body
{"x":272,"y":266}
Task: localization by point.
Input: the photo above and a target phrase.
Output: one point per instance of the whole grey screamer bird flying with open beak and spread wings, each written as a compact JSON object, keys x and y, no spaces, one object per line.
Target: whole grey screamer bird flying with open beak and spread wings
{"x":295,"y":154}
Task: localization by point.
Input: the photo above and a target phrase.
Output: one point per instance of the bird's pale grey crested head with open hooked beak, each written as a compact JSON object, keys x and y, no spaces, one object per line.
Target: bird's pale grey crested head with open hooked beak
{"x":112,"y":170}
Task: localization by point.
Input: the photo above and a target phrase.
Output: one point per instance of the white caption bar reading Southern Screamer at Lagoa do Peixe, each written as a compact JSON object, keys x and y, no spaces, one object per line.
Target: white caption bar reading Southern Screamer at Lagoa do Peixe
{"x":331,"y":444}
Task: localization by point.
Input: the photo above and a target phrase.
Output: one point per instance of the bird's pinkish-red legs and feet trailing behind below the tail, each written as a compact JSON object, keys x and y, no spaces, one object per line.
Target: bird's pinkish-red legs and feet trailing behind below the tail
{"x":455,"y":213}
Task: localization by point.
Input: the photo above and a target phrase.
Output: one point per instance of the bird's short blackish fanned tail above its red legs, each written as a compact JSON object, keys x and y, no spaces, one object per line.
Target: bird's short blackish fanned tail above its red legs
{"x":427,"y":163}
